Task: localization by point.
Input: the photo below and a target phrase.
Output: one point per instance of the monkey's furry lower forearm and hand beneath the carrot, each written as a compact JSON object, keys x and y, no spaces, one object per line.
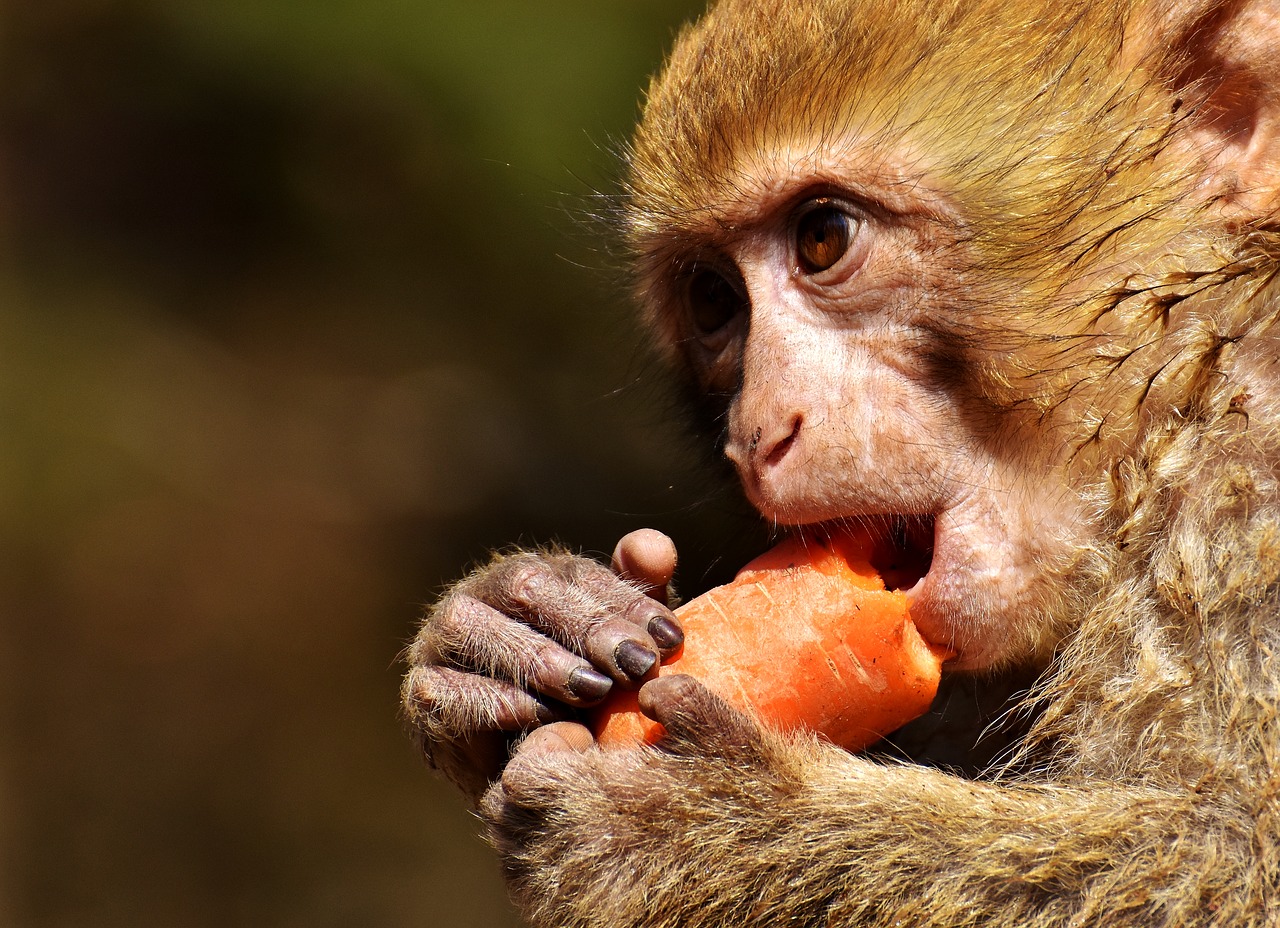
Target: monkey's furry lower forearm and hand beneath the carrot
{"x":734,"y":826}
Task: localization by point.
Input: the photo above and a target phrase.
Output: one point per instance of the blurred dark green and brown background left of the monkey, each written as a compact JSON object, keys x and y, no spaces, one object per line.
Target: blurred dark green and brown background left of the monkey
{"x":299,"y":317}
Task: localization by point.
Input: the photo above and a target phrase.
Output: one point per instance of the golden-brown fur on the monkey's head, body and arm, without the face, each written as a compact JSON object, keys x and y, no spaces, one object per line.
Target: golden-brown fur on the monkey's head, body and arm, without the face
{"x":1113,"y":290}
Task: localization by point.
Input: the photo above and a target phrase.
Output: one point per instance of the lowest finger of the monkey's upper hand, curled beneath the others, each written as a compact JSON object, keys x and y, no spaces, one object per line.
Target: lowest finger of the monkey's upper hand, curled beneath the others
{"x":451,"y":706}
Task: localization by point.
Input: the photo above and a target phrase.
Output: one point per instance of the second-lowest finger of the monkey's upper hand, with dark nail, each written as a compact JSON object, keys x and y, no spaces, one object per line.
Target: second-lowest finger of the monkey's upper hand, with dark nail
{"x":478,"y":637}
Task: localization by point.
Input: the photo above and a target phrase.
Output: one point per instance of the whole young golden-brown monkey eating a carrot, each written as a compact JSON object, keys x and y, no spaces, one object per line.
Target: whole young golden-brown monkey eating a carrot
{"x":1007,"y":275}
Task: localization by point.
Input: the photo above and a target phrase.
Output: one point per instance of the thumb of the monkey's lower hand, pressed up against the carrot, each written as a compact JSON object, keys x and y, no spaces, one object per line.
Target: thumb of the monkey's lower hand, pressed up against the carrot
{"x":697,"y":720}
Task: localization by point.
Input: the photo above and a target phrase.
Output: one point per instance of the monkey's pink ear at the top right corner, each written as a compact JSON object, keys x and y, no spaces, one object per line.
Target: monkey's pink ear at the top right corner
{"x":1219,"y":61}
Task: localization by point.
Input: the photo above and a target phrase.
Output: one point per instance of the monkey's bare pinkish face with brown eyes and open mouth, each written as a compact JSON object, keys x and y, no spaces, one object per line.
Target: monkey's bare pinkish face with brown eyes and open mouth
{"x":820,"y":314}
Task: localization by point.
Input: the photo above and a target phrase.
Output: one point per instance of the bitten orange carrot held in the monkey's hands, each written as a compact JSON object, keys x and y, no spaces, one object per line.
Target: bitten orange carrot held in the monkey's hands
{"x":806,"y":636}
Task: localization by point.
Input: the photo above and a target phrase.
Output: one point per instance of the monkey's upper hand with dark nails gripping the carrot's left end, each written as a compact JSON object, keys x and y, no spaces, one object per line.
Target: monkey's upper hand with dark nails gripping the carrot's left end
{"x":527,"y":641}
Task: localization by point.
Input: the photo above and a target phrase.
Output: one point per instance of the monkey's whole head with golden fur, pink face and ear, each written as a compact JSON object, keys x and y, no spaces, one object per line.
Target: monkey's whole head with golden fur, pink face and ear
{"x":944,"y":266}
